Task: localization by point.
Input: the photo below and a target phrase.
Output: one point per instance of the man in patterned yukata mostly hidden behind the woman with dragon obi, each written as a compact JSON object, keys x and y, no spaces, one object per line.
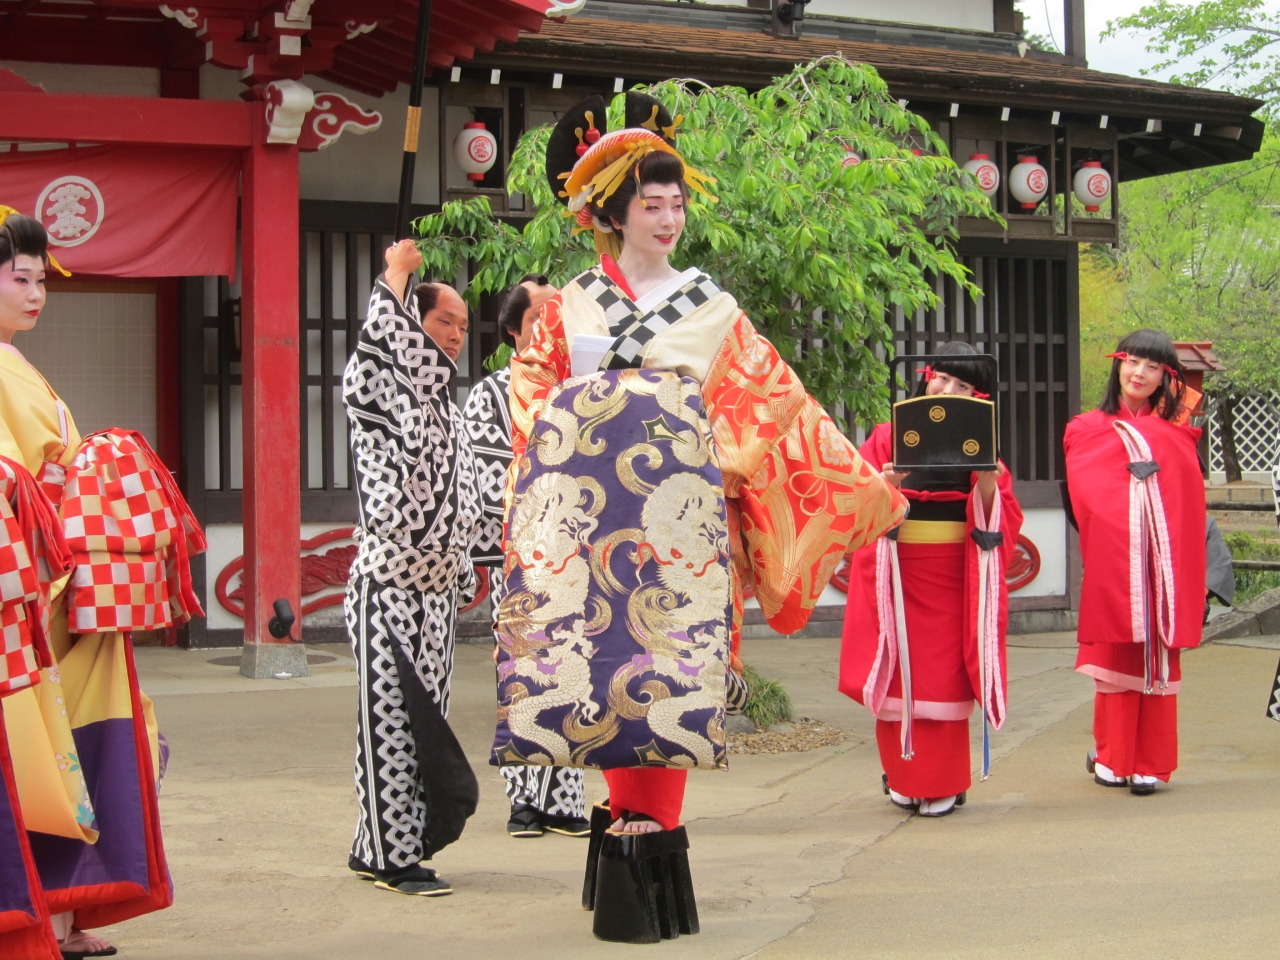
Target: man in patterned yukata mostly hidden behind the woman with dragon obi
{"x":542,"y":798}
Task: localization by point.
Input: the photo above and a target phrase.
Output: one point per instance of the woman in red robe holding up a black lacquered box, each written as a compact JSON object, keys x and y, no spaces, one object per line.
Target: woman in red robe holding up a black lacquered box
{"x":945,"y":647}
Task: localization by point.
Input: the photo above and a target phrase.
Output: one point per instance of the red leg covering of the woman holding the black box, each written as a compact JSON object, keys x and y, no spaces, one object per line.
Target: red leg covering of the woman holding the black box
{"x":941,"y":764}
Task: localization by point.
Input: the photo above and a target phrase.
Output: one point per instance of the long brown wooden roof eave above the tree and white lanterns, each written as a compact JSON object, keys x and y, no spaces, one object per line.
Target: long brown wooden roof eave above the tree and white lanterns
{"x":930,"y":77}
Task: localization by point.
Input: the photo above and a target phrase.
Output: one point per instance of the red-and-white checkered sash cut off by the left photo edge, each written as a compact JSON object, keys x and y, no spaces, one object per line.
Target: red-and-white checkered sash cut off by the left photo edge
{"x":33,"y":555}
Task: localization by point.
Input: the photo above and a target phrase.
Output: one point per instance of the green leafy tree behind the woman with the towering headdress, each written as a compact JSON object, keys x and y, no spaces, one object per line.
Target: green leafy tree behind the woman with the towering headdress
{"x":817,"y":253}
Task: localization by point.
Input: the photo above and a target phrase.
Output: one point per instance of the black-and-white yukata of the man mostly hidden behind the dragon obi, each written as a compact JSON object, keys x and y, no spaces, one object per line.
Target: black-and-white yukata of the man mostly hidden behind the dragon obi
{"x":555,"y":792}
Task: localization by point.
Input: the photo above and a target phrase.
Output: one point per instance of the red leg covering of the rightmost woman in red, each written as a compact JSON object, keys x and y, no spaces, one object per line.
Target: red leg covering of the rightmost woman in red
{"x":1137,"y":734}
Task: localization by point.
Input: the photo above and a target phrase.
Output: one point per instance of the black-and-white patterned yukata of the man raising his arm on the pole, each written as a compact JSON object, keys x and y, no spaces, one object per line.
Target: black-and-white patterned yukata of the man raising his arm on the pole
{"x":419,"y":511}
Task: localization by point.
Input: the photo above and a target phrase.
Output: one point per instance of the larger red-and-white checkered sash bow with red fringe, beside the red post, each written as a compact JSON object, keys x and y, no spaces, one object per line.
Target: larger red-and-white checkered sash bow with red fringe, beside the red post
{"x":132,"y":536}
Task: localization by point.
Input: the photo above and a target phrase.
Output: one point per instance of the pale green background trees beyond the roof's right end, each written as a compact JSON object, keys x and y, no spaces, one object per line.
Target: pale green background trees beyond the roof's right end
{"x":1200,"y":253}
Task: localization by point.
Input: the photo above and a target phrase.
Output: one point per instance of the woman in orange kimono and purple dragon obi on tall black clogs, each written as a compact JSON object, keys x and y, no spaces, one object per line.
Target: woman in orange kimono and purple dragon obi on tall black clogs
{"x":665,"y":458}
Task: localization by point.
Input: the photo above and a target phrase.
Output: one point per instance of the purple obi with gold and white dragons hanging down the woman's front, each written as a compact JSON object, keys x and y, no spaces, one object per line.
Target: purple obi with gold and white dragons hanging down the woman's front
{"x":614,"y":636}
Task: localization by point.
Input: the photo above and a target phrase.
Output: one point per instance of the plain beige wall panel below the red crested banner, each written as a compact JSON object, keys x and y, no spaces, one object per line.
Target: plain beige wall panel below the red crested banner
{"x":99,"y":353}
